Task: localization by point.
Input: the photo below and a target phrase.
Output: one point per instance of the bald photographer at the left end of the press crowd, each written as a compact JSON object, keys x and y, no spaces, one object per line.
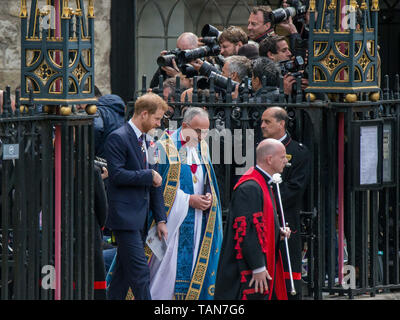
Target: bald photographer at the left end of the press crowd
{"x":186,"y":41}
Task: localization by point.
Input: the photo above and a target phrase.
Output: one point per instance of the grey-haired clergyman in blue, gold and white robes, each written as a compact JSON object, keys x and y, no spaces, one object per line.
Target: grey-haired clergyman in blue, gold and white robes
{"x":188,"y":266}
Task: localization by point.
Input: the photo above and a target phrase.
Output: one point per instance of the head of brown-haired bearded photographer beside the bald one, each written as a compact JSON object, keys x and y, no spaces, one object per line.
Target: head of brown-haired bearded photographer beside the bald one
{"x":231,"y":40}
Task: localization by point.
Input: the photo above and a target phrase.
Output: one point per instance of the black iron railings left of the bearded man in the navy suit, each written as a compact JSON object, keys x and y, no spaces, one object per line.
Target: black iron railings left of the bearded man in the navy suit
{"x":28,"y":258}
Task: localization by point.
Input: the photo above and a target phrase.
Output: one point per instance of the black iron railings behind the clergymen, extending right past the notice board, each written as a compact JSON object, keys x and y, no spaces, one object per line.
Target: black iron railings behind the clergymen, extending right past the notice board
{"x":370,"y":224}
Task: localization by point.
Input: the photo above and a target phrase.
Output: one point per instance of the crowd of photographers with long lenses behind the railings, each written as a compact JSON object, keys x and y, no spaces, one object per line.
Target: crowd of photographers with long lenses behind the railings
{"x":271,"y":55}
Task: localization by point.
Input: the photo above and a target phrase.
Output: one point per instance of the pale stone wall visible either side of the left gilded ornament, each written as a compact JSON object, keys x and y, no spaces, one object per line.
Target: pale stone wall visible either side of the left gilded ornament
{"x":10,"y":44}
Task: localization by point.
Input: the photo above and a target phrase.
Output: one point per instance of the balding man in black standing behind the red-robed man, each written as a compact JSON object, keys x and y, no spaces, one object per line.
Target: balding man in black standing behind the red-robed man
{"x":295,"y":181}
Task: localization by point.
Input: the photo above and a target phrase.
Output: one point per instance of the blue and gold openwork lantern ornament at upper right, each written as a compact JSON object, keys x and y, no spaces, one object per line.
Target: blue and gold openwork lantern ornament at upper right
{"x":343,"y":55}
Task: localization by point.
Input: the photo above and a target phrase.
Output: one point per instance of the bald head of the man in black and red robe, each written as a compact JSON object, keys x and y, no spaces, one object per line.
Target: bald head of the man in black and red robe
{"x":271,"y":156}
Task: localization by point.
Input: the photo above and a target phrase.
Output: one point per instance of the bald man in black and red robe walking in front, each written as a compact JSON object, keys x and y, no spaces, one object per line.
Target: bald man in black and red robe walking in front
{"x":250,"y":265}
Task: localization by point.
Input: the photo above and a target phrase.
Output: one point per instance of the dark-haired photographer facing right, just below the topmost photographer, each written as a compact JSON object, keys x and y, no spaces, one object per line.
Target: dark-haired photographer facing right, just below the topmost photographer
{"x":277,"y":49}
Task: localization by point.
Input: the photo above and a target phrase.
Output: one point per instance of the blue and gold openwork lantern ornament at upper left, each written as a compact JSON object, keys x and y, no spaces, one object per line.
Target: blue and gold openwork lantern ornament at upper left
{"x":57,"y":67}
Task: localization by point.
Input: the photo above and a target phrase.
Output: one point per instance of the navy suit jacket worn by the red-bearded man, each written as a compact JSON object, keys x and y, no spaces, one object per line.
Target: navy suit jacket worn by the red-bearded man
{"x":130,"y":189}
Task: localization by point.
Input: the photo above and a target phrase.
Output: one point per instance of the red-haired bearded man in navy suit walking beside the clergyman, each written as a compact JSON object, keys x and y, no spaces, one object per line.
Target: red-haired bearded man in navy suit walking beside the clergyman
{"x":134,"y":189}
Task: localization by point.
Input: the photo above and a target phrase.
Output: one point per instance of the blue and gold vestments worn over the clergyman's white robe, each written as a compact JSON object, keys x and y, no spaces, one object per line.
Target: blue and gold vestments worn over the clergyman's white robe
{"x":200,"y":284}
